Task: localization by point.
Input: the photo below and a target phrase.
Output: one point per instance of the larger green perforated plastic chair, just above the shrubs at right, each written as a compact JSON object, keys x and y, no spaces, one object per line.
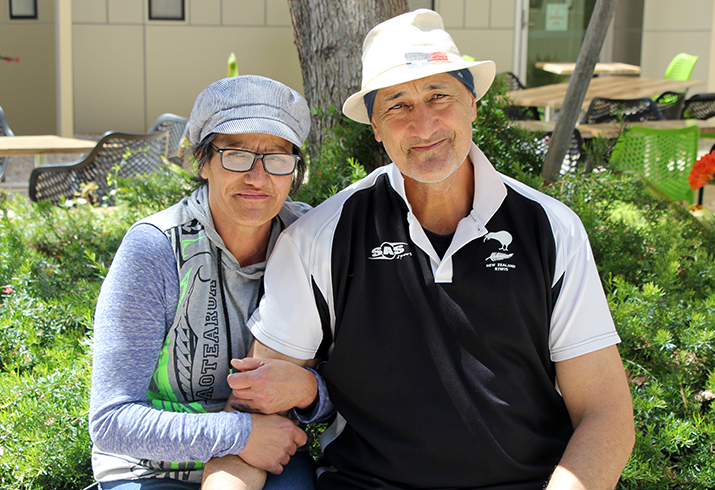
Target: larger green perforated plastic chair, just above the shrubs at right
{"x":663,"y":158}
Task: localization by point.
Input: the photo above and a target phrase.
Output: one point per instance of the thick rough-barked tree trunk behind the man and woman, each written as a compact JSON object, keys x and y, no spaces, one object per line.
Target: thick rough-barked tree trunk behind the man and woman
{"x":329,"y":36}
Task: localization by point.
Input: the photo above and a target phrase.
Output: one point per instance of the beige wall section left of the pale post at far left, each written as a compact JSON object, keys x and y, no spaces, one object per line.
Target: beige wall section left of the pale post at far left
{"x":27,"y":88}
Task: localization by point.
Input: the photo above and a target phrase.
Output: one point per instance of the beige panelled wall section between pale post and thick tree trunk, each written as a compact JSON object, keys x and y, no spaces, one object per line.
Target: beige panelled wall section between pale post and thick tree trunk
{"x":134,"y":69}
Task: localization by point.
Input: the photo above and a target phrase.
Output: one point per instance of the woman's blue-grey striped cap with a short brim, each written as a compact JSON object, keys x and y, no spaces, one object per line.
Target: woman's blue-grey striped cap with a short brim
{"x":249,"y":104}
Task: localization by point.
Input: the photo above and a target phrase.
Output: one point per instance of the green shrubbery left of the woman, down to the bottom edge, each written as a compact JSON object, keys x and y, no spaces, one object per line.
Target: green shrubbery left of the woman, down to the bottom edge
{"x":52,"y":262}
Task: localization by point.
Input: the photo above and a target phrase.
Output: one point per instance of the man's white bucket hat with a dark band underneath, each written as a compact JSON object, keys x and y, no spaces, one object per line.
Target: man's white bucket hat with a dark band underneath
{"x":409,"y":47}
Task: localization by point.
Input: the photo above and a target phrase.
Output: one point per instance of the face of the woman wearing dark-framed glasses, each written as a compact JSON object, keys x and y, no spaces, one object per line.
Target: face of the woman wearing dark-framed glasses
{"x":241,"y":200}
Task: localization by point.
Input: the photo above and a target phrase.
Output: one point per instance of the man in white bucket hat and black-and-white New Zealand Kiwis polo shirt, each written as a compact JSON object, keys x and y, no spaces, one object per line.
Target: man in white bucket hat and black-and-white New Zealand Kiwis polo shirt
{"x":467,"y":338}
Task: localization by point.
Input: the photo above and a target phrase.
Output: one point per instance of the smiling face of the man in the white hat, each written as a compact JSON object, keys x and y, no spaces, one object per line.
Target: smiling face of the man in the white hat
{"x":425,"y":126}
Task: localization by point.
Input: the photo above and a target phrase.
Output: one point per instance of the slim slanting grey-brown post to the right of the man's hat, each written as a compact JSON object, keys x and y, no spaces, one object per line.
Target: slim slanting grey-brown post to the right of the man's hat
{"x":578,"y":85}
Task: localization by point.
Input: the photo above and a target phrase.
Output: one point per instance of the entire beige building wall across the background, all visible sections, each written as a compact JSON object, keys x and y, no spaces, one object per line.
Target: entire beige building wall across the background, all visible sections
{"x":128,"y":70}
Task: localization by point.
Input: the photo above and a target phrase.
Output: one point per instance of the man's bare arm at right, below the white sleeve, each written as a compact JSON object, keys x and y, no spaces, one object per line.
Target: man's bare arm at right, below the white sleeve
{"x":596,"y":393}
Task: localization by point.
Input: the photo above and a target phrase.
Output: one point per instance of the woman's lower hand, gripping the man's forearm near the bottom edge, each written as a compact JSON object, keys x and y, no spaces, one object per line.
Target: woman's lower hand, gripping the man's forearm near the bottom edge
{"x":273,"y":440}
